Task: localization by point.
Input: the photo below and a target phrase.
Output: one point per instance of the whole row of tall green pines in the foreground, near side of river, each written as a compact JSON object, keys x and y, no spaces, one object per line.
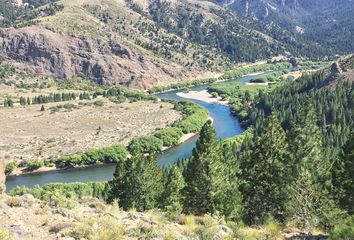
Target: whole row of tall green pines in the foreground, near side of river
{"x":288,"y":176}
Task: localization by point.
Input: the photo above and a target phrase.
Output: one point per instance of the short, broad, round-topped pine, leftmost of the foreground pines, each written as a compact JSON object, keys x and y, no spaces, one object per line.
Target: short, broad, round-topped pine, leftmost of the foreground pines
{"x":137,"y":183}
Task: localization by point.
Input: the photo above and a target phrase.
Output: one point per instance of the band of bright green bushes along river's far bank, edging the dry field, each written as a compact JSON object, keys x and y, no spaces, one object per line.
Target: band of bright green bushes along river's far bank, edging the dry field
{"x":193,"y":118}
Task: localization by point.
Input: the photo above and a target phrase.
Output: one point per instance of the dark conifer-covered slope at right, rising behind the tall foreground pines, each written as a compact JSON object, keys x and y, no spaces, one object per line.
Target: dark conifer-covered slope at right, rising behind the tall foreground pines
{"x":331,"y":92}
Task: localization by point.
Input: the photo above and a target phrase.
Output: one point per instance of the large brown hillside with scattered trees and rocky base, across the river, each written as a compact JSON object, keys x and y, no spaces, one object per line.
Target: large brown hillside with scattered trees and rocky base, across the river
{"x":135,"y":43}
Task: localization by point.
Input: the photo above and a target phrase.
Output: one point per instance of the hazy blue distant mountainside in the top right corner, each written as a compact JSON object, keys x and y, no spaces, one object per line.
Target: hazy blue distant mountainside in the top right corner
{"x":327,"y":23}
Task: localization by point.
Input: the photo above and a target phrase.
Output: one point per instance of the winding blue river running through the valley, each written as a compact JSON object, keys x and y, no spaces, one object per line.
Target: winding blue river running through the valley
{"x":224,"y":123}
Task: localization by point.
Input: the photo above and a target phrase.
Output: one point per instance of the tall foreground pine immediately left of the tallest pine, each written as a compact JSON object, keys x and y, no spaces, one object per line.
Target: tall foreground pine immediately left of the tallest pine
{"x":265,"y":173}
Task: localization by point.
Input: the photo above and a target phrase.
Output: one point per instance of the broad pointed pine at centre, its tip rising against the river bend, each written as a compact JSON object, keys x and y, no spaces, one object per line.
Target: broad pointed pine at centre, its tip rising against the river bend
{"x":211,"y":186}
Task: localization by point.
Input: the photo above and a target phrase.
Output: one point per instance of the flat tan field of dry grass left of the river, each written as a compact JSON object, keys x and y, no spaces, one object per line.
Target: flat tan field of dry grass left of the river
{"x":26,"y":133}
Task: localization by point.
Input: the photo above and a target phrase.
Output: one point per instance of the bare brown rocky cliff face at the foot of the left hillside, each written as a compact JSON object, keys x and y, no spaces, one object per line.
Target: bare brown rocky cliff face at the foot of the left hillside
{"x":44,"y":51}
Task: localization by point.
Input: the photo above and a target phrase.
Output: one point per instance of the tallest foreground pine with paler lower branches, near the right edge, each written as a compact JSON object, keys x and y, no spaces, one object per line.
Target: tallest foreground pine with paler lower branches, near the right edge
{"x":309,"y":201}
